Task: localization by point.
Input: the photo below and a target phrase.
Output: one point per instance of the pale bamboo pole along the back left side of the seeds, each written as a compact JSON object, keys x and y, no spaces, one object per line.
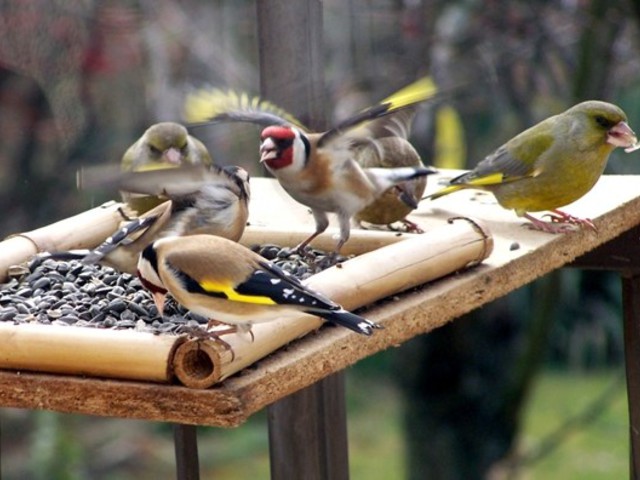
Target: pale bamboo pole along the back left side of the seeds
{"x":85,"y":230}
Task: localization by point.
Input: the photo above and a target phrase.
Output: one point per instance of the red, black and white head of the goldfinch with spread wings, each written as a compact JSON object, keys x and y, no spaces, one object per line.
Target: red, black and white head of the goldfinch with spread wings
{"x":282,"y":146}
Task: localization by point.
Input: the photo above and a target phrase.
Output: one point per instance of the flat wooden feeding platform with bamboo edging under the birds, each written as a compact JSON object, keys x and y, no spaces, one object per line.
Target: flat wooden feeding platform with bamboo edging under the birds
{"x":472,"y":252}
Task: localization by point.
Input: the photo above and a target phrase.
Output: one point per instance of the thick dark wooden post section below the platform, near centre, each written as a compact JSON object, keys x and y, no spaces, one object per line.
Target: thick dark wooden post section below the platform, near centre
{"x":308,"y":433}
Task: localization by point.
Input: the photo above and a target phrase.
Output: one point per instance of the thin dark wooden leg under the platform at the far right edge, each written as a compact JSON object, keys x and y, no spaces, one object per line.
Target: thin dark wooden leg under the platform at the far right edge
{"x":631,"y":305}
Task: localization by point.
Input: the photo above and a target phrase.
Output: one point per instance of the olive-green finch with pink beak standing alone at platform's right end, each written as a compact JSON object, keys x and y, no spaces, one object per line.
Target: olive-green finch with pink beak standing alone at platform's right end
{"x":551,"y":164}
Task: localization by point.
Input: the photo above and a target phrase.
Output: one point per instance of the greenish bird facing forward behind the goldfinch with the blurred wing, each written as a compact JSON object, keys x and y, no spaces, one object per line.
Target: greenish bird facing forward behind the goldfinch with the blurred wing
{"x":162,"y":145}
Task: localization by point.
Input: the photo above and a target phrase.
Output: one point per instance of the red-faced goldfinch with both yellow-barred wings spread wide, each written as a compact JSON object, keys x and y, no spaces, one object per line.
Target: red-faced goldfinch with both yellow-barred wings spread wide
{"x":322,"y":170}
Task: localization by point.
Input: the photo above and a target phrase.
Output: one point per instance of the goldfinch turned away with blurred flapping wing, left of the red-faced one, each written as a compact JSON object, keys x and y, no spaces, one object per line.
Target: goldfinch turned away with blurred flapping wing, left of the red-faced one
{"x":203,"y":200}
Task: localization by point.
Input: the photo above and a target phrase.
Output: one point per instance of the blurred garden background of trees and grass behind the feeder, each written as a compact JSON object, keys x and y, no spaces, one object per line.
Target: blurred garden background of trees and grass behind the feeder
{"x":498,"y":394}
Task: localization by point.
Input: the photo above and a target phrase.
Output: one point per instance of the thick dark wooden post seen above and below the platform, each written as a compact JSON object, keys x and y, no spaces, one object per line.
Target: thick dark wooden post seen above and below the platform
{"x":307,"y":430}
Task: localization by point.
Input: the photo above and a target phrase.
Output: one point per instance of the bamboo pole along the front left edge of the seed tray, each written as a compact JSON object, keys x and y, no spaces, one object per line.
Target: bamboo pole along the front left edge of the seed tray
{"x":88,"y":351}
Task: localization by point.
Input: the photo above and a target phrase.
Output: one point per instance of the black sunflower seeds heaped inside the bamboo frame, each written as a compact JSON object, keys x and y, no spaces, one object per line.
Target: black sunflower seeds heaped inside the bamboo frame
{"x":56,"y":292}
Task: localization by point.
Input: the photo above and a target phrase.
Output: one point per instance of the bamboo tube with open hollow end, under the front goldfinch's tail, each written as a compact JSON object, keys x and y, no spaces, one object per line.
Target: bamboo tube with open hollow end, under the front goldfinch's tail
{"x":355,"y":283}
